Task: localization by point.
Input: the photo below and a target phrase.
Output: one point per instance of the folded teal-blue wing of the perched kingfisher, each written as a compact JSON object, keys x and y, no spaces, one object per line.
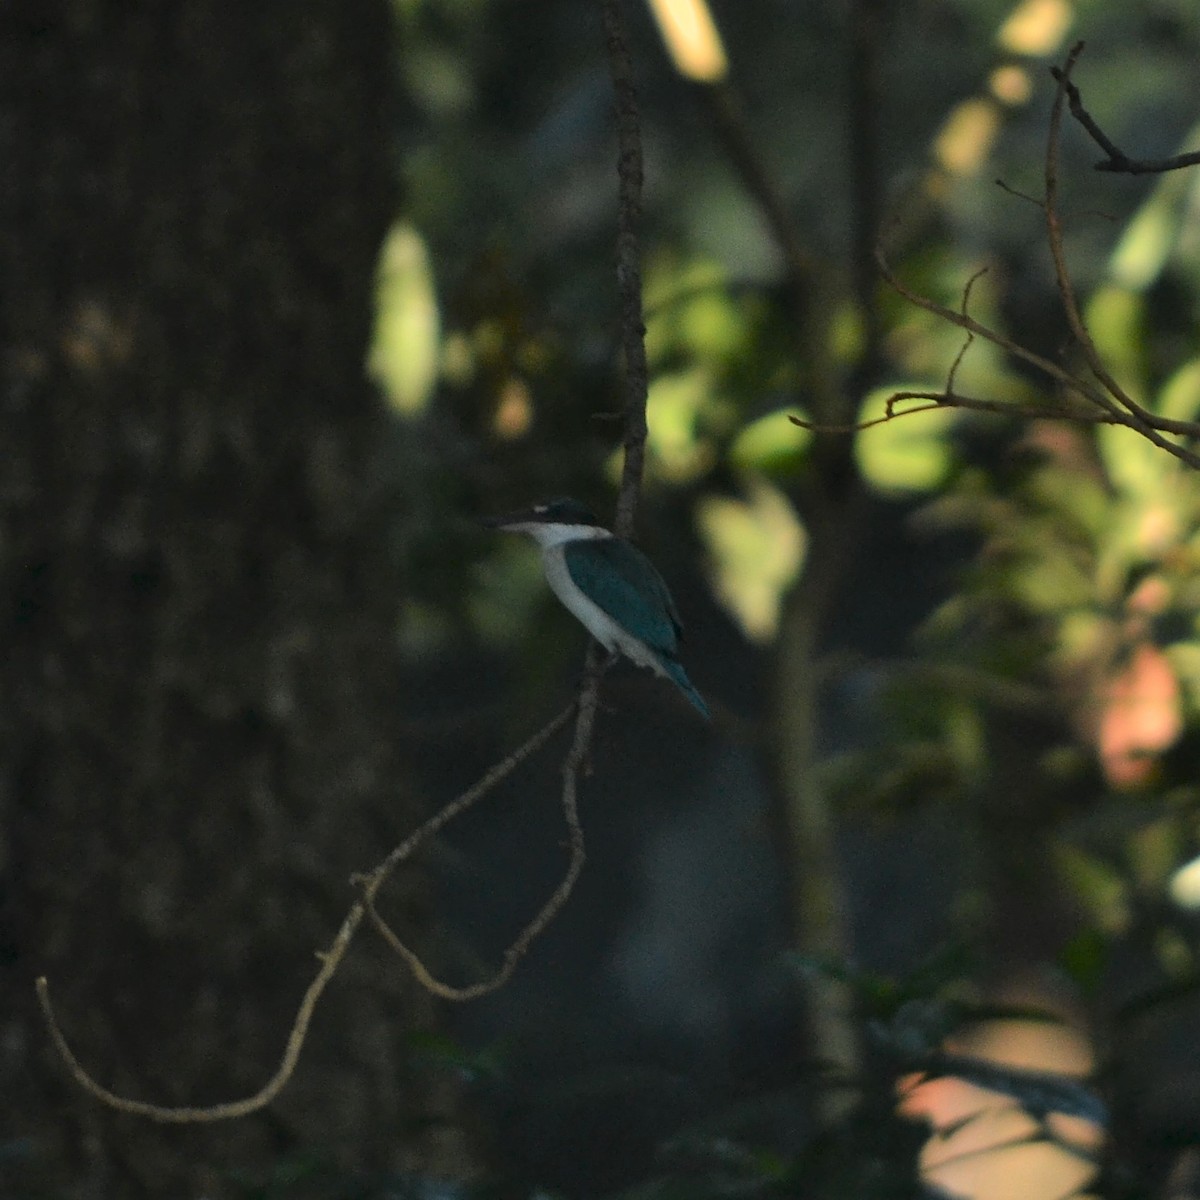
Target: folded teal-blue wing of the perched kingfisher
{"x":625,"y":584}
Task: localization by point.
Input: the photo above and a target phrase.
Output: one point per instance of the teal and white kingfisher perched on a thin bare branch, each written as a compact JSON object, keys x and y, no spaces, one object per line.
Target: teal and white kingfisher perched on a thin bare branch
{"x":609,"y":585}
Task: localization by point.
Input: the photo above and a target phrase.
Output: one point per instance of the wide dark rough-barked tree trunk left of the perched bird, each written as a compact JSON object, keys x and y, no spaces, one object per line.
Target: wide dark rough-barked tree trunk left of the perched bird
{"x":199,"y":603}
